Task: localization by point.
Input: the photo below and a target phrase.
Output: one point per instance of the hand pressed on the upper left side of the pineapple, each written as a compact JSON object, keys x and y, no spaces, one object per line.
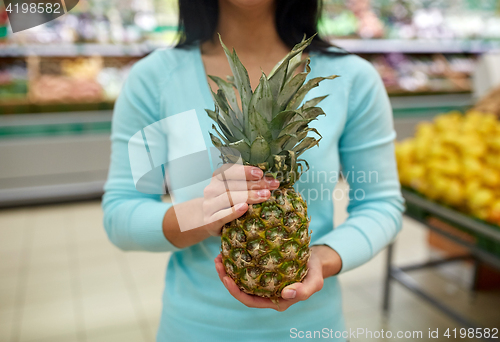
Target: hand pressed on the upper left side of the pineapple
{"x":231,"y":189}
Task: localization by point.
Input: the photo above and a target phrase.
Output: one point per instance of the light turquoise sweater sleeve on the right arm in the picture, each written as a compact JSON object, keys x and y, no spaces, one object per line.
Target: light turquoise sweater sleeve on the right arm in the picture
{"x":366,"y":149}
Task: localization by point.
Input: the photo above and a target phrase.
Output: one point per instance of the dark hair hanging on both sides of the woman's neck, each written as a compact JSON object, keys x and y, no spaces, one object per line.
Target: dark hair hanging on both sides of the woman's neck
{"x":294,"y":18}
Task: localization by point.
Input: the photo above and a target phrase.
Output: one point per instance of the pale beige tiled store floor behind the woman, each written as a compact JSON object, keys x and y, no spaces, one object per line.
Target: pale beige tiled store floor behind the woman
{"x":62,"y":281}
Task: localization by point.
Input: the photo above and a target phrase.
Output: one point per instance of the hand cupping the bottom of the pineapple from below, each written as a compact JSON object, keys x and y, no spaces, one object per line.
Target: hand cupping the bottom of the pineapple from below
{"x":324,"y":262}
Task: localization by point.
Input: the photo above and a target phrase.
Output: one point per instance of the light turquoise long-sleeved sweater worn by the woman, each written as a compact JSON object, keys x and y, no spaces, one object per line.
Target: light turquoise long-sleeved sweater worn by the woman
{"x":358,"y":137}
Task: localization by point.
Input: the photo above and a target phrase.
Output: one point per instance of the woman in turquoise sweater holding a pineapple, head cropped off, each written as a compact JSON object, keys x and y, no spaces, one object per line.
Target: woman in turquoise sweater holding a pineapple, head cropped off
{"x":201,"y":304}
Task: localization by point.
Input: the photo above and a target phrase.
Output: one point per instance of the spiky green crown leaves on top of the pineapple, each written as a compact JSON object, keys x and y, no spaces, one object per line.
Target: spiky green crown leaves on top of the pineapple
{"x":270,"y":130}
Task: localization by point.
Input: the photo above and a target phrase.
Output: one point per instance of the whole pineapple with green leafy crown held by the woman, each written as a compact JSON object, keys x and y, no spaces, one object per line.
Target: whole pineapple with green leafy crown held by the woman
{"x":268,"y":247}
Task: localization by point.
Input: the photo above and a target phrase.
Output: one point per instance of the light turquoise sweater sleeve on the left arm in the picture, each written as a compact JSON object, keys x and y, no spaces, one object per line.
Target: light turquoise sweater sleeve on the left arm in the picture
{"x":133,"y":220}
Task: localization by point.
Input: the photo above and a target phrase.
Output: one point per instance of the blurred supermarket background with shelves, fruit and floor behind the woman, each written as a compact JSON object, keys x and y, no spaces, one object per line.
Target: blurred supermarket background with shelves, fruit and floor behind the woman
{"x":61,"y":280}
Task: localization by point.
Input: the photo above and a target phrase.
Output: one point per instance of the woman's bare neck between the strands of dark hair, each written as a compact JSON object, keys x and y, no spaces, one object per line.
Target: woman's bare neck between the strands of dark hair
{"x":251,"y":31}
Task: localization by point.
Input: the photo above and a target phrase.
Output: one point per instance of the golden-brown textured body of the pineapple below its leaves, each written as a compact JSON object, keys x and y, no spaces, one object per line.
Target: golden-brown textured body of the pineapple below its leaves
{"x":268,"y":247}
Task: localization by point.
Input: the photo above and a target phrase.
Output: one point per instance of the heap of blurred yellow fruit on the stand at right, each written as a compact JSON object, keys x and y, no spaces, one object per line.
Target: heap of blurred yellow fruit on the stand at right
{"x":455,"y":159}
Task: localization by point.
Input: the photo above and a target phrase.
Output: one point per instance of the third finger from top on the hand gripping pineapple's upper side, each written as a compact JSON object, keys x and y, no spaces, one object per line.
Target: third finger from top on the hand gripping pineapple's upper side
{"x":225,"y":200}
